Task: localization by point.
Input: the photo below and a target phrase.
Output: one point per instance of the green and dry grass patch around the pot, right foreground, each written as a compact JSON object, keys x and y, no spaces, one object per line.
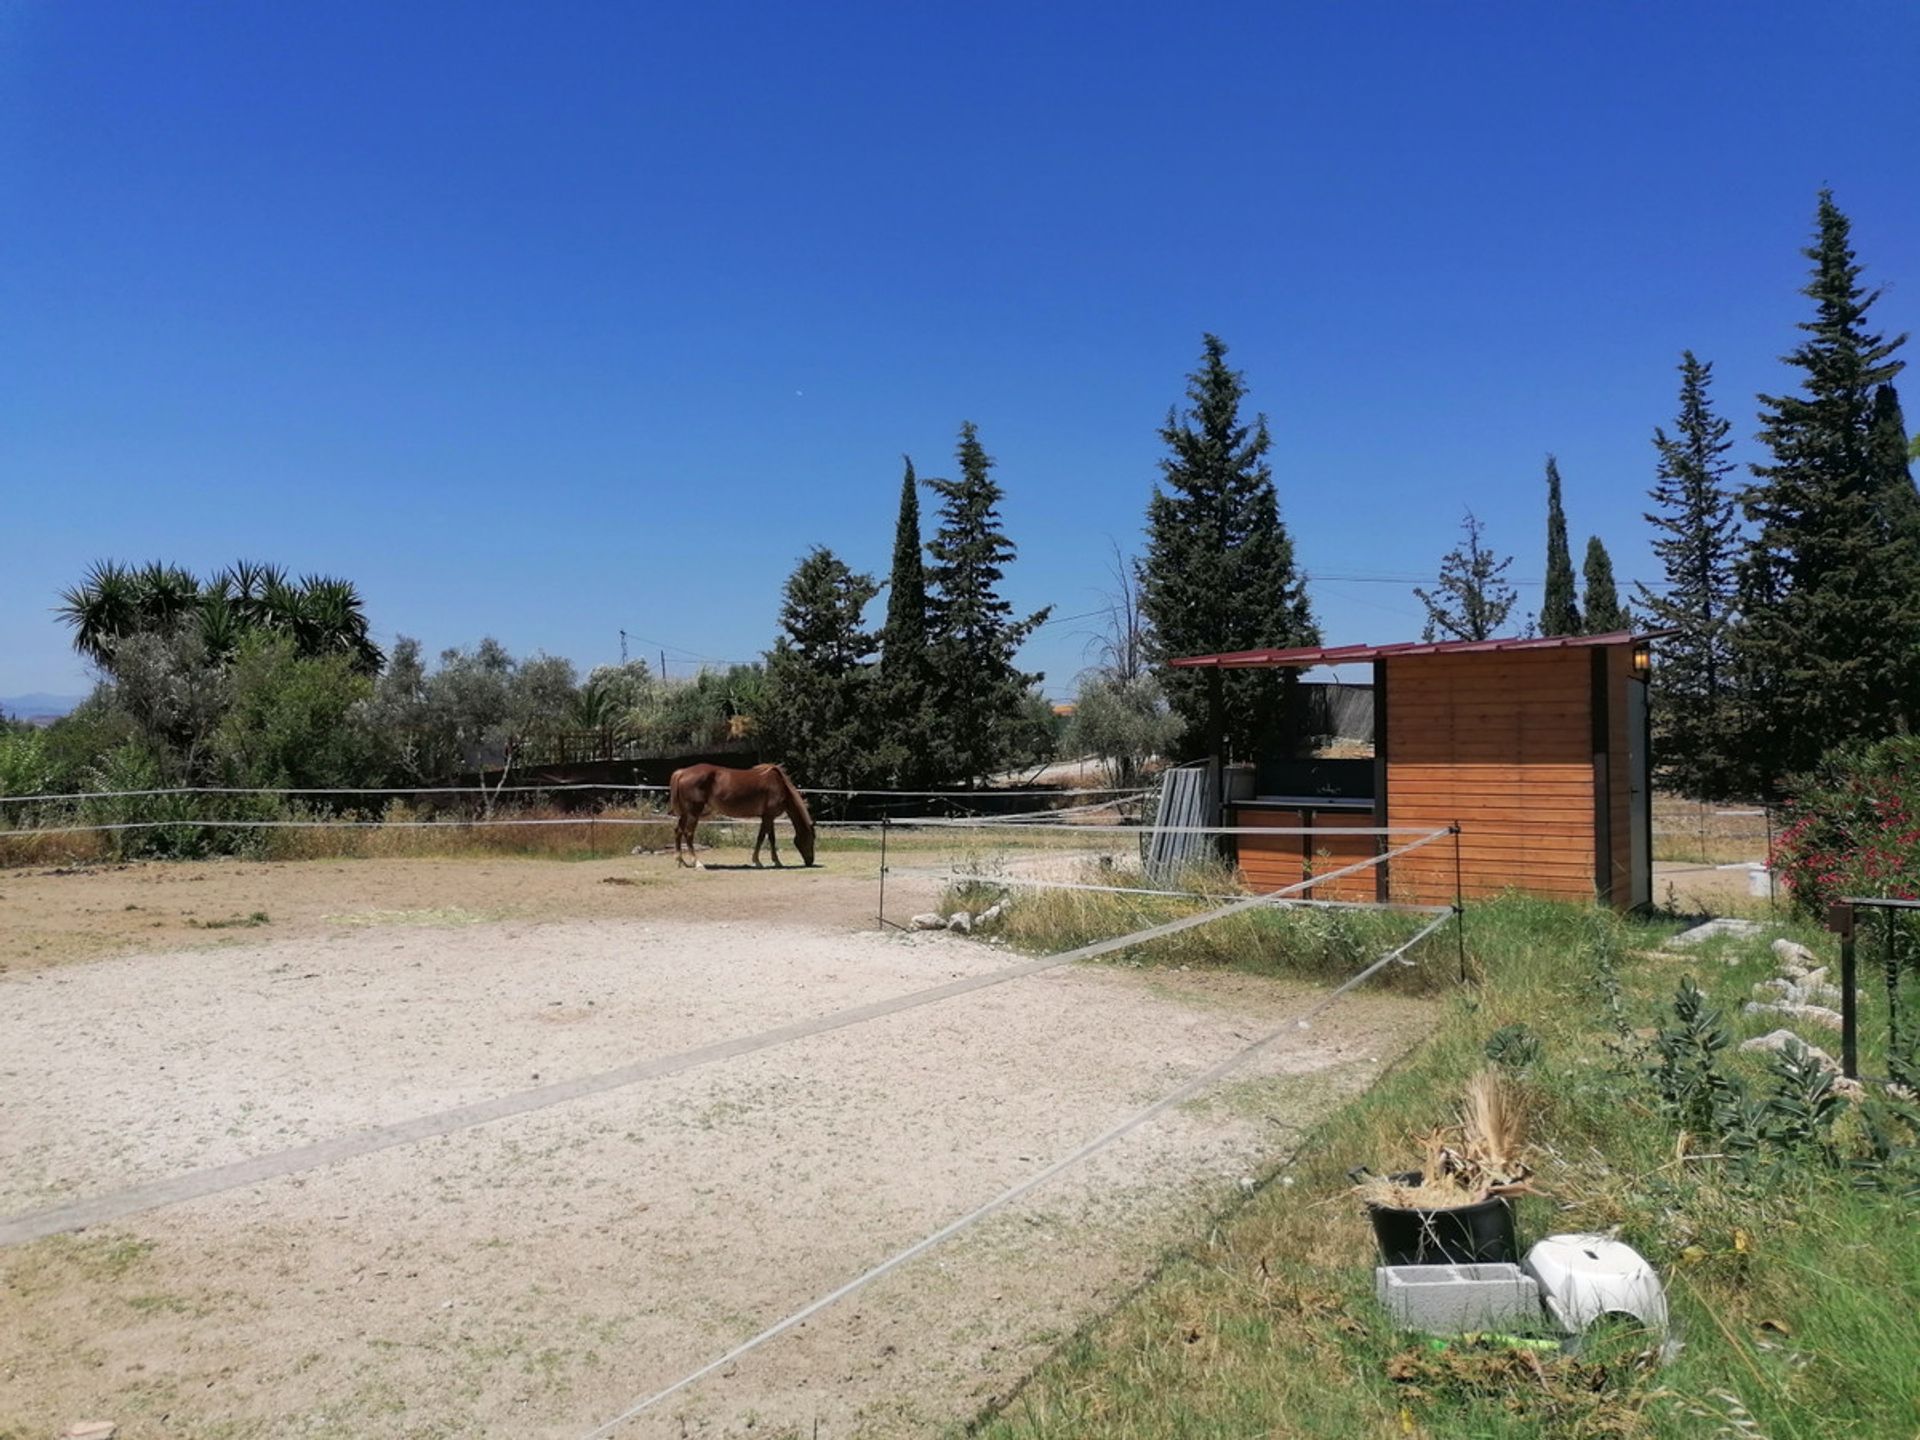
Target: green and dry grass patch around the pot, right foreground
{"x":1792,"y":1270}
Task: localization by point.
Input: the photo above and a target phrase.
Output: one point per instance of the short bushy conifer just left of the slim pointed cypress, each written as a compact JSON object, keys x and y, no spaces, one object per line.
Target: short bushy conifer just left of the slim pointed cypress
{"x":819,"y":717}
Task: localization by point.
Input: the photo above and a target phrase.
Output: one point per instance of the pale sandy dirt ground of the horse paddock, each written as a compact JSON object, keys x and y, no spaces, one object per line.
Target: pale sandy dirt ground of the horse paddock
{"x":533,"y":1278}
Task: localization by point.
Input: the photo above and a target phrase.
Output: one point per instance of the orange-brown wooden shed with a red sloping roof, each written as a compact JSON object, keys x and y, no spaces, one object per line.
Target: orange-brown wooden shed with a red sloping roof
{"x":1539,"y":750}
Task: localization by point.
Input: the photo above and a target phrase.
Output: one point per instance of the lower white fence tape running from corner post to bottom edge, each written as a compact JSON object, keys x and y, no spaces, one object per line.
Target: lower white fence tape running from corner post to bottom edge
{"x":1205,"y":1080}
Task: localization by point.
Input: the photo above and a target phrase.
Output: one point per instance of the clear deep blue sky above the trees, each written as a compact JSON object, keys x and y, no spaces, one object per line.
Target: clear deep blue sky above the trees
{"x":548,"y":322}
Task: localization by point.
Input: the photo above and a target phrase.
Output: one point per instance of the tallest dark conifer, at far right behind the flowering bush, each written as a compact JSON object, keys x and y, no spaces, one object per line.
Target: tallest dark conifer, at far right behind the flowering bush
{"x":1827,"y":636}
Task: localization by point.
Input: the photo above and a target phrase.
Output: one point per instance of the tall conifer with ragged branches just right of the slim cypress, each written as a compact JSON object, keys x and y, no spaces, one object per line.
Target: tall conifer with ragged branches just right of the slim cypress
{"x":980,"y":698}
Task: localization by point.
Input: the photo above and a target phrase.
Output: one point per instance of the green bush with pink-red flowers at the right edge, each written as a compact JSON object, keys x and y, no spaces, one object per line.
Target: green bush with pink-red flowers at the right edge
{"x":1854,"y":827}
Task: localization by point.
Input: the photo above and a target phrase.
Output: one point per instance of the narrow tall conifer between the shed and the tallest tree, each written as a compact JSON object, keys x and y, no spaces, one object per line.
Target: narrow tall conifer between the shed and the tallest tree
{"x":1698,"y":546}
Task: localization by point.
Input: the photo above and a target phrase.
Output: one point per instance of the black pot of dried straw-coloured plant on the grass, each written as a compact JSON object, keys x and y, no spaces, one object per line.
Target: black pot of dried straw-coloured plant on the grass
{"x":1456,"y":1209}
